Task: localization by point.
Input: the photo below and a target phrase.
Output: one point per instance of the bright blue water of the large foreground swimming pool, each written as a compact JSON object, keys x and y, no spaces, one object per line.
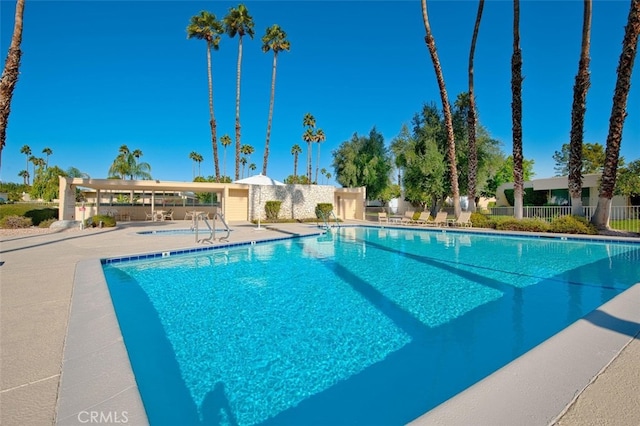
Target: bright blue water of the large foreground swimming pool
{"x":362,"y":326}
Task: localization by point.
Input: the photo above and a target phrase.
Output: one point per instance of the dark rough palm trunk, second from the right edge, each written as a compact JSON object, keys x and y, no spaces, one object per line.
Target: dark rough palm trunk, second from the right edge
{"x":578,"y":110}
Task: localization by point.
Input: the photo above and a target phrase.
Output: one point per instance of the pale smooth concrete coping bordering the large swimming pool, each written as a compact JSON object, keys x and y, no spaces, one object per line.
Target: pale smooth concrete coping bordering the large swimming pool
{"x":97,"y":378}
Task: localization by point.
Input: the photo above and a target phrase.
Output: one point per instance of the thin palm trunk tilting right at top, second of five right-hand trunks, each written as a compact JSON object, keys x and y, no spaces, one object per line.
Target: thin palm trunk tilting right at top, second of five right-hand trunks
{"x":472,"y":116}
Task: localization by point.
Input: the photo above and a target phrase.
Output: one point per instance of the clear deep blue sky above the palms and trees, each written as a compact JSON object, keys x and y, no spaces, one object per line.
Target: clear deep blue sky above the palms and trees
{"x":99,"y":74}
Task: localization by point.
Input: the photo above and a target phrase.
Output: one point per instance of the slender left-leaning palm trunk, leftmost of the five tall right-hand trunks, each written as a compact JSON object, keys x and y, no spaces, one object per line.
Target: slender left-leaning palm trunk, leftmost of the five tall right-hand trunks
{"x":446,"y":108}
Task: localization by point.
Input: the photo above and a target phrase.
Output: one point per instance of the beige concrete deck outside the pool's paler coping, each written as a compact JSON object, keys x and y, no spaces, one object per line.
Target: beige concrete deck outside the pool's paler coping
{"x":37,"y":272}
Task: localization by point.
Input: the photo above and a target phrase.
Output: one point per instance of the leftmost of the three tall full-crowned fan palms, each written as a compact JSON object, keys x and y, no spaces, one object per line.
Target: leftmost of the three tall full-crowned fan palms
{"x":206,"y":27}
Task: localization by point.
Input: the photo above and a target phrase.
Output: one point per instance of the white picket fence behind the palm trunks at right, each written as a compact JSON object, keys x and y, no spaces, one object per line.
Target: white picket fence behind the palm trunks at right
{"x":625,"y":218}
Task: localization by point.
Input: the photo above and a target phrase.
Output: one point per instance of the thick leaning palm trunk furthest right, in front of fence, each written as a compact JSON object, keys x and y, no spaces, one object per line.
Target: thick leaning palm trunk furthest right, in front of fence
{"x":618,"y":114}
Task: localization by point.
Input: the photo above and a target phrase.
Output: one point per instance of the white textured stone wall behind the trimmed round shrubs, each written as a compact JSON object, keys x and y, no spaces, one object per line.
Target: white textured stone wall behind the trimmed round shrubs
{"x":298,"y":201}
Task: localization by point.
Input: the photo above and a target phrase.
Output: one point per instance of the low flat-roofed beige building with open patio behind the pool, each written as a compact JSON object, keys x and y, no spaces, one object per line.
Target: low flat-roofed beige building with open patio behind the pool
{"x":237,"y":201}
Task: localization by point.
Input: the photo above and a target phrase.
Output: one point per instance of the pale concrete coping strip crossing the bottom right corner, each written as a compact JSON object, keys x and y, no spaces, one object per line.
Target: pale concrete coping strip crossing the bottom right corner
{"x":539,"y":387}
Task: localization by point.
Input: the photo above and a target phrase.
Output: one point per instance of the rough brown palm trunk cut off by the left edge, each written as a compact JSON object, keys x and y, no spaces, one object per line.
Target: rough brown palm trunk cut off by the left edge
{"x":10,"y":74}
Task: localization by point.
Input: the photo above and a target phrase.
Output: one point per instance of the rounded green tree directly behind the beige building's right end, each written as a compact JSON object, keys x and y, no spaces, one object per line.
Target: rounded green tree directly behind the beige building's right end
{"x":363,"y":161}
